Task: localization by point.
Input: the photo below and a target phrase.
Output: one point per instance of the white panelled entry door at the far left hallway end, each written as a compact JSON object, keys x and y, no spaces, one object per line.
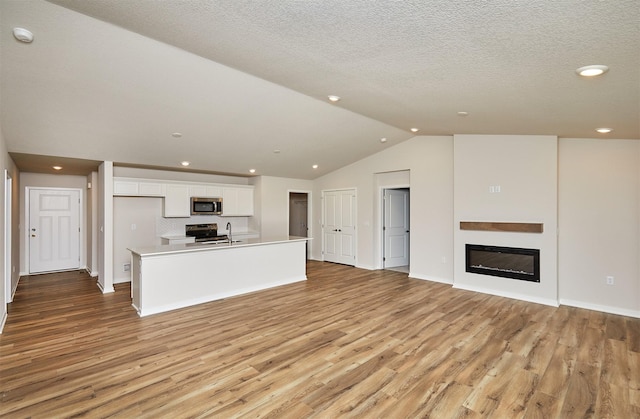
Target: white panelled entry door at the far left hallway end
{"x":54,"y":230}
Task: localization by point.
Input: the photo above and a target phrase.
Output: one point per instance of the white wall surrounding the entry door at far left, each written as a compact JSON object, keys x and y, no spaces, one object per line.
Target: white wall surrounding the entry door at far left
{"x":43,"y":180}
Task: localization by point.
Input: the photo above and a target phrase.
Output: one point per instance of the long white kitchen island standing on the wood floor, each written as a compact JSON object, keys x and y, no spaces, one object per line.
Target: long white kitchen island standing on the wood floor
{"x":168,"y":277}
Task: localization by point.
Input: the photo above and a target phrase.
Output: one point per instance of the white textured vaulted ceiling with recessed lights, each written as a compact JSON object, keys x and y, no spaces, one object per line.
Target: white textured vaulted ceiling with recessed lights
{"x":396,"y":64}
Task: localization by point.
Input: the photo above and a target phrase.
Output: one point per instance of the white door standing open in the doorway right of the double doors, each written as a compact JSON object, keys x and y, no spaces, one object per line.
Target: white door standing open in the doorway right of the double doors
{"x":396,"y":227}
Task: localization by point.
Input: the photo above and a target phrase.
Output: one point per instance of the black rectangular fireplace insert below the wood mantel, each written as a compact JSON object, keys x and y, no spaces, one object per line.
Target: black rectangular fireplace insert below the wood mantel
{"x":506,"y":262}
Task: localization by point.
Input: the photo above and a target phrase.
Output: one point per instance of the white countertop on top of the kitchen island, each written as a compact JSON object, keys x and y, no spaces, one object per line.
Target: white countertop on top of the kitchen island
{"x":201,"y":247}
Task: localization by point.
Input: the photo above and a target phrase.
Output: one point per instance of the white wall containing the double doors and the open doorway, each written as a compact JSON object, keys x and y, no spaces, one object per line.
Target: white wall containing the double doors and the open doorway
{"x":430,"y":163}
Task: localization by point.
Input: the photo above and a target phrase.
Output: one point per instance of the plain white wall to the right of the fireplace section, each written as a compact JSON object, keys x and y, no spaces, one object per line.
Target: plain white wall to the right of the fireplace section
{"x":599,"y":221}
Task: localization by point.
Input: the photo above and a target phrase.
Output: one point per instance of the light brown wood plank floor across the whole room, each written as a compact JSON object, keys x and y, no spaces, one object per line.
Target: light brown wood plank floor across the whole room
{"x":345,"y":343}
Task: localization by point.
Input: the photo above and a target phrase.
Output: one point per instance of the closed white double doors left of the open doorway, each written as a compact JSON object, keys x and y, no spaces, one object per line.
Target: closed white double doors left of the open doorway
{"x":340,"y":226}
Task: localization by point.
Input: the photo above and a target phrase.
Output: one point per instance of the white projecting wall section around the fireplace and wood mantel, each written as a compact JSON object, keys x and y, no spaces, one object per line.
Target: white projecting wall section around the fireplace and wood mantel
{"x":526,"y":169}
